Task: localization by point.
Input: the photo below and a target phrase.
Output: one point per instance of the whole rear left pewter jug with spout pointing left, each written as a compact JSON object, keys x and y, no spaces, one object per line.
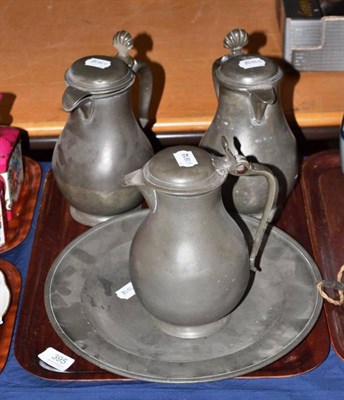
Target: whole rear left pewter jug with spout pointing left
{"x":102,"y":141}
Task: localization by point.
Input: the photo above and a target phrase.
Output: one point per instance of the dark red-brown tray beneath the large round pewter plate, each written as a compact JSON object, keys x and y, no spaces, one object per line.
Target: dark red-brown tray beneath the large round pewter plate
{"x":56,"y":229}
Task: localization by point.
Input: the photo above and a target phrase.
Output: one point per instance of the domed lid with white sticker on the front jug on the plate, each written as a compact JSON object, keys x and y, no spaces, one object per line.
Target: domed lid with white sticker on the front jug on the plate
{"x":182,"y":170}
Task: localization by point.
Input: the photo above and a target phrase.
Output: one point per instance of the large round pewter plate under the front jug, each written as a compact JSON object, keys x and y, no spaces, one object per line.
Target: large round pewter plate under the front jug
{"x":118,"y":335}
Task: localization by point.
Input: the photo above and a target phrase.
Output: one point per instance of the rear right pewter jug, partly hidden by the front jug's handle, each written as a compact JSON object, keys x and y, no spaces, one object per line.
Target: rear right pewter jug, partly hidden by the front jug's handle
{"x":250,"y":116}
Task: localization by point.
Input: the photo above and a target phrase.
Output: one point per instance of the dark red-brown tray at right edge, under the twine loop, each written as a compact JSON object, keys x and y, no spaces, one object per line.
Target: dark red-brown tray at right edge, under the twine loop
{"x":323,"y":190}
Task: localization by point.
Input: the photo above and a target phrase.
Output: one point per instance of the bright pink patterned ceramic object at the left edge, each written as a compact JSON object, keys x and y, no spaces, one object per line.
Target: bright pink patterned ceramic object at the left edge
{"x":11,"y":165}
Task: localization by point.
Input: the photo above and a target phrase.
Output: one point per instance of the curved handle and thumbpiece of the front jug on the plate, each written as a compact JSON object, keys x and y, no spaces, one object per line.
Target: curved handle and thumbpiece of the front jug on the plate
{"x":239,"y":166}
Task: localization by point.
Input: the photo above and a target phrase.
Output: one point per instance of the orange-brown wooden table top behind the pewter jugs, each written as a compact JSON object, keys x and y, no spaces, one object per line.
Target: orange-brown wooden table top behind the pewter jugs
{"x":179,"y":38}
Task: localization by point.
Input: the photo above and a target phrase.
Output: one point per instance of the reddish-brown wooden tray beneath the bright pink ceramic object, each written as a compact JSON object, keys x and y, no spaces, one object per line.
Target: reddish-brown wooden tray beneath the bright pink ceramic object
{"x":23,"y":209}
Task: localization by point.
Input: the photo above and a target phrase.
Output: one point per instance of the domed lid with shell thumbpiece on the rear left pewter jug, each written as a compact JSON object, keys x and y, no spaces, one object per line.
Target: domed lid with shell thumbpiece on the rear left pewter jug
{"x":102,"y":74}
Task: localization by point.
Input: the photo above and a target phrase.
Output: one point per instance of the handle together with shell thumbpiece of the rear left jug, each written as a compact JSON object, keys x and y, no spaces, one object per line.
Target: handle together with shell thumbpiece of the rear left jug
{"x":123,"y":42}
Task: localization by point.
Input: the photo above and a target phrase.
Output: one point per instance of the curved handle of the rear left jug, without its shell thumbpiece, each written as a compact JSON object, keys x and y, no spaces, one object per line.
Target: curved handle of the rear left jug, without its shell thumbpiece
{"x":146,"y":90}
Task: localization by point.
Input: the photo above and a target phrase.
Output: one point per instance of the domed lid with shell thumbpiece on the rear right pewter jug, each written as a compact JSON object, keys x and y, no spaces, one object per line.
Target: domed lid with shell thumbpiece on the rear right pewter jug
{"x":245,"y":71}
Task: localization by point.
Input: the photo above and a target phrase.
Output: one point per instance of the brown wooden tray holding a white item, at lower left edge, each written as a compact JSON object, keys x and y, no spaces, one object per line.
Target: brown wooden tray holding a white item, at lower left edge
{"x":13,"y":281}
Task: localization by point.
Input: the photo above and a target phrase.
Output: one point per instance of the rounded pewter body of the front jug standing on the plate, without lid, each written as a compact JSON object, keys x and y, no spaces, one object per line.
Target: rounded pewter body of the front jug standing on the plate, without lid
{"x":189,"y":269}
